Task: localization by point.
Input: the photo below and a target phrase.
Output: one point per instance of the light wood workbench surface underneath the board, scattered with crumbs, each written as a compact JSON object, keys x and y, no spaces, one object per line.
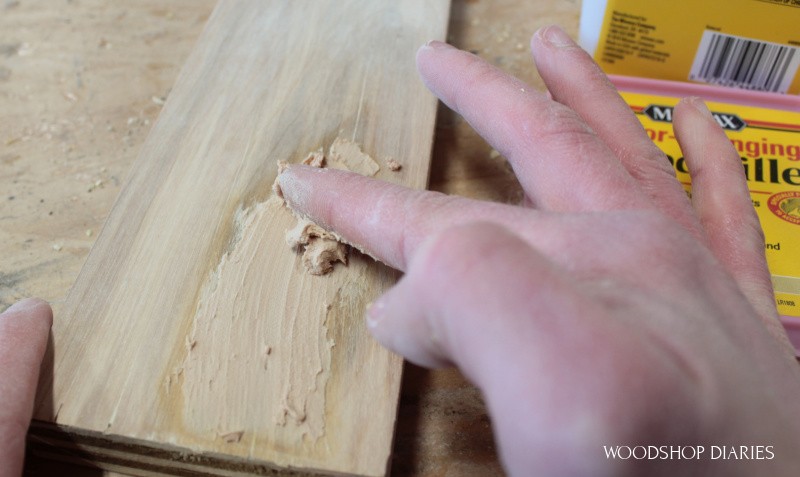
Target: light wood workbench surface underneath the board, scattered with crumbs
{"x":82,"y":81}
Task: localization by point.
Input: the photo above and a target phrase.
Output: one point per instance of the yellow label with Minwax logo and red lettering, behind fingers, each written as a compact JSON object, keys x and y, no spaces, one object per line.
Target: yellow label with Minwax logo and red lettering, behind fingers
{"x":768,"y":142}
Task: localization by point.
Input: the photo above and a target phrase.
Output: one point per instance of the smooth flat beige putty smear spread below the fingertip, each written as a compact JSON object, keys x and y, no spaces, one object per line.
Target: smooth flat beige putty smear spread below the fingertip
{"x":225,"y":346}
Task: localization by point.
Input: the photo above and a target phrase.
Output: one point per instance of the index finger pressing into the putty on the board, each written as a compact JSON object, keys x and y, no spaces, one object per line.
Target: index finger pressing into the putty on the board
{"x":386,"y":220}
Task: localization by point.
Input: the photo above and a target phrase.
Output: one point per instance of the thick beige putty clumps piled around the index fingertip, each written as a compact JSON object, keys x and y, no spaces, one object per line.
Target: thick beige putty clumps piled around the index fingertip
{"x":322,"y":249}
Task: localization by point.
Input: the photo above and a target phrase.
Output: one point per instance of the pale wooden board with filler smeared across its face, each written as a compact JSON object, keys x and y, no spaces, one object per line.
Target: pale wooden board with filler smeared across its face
{"x":193,"y":341}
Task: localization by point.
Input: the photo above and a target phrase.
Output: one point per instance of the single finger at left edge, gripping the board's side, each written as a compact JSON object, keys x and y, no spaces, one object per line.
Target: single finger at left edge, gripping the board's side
{"x":24,"y":328}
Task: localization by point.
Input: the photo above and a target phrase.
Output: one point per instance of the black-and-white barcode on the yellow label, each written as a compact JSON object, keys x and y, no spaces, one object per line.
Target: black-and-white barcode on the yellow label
{"x":729,"y":60}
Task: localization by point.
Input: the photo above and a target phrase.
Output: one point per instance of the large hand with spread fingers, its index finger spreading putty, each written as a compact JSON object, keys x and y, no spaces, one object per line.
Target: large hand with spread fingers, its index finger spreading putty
{"x":614,"y":310}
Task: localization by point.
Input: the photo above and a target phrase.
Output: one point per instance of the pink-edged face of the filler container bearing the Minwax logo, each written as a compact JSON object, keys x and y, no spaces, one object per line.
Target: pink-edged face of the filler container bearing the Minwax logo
{"x":765,"y":130}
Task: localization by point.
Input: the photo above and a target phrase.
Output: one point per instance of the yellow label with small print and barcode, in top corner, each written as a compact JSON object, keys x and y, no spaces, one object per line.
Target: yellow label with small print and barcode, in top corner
{"x":750,"y":44}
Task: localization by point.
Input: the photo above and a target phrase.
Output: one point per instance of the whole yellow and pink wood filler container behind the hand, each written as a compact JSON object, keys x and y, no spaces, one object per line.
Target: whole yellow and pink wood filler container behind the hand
{"x":752,"y":48}
